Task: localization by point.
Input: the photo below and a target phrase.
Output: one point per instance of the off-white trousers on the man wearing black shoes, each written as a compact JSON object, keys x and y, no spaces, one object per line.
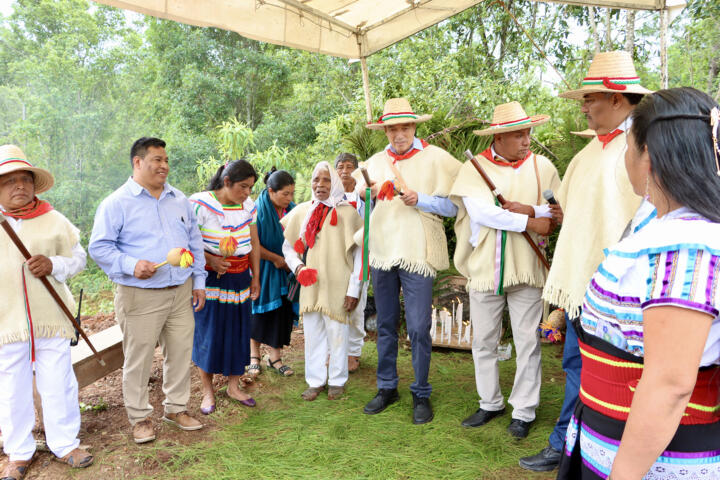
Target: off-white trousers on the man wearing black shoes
{"x":486,"y":310}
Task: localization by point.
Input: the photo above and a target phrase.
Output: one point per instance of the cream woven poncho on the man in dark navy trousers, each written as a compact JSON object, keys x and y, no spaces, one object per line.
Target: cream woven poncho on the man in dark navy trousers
{"x":403,"y":236}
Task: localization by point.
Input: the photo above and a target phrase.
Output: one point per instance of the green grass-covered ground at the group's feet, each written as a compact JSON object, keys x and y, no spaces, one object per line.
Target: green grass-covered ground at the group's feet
{"x":288,"y":438}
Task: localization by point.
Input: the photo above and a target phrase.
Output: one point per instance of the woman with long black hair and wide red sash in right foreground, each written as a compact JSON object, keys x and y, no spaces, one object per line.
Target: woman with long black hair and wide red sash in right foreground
{"x":650,"y":334}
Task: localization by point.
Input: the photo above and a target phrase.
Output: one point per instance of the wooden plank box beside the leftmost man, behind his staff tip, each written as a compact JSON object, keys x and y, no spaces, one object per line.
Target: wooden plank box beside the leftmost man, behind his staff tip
{"x":109,"y":344}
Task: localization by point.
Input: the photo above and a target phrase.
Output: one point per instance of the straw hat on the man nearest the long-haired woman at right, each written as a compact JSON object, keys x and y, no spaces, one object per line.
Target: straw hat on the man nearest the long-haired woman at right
{"x":611,"y":72}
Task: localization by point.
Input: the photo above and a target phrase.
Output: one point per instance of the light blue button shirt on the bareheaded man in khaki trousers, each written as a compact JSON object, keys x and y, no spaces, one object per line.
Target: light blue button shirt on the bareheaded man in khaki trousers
{"x":132,"y":225}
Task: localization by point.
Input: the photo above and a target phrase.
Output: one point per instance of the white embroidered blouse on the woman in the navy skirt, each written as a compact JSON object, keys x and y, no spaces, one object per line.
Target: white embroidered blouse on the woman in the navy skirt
{"x":217,"y":221}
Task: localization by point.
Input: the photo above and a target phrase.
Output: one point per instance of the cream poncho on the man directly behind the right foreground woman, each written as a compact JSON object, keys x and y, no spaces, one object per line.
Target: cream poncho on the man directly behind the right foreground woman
{"x":598,"y":202}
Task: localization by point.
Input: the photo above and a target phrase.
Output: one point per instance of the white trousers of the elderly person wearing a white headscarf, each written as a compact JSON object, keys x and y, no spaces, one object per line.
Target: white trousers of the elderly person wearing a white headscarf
{"x":323,"y":335}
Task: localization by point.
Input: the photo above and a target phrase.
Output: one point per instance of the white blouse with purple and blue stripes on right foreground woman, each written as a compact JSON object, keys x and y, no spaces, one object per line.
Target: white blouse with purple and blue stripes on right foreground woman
{"x":672,"y":261}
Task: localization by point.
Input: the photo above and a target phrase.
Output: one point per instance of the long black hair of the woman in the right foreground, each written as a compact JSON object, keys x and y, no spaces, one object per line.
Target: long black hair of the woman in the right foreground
{"x":674,"y":124}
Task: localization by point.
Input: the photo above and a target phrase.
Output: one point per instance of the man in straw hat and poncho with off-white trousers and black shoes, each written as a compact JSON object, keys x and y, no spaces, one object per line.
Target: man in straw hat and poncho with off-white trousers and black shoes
{"x":500,"y":265}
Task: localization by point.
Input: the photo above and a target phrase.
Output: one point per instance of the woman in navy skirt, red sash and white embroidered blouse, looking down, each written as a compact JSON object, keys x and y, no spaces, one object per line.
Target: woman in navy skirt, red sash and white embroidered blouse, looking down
{"x":226,"y":217}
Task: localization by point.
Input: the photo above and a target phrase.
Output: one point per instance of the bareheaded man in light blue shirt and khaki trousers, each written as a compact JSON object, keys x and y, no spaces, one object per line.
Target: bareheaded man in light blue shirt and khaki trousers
{"x":135,"y":227}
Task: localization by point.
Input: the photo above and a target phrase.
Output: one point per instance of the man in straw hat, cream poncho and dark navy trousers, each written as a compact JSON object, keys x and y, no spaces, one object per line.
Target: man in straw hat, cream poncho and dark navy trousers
{"x":412,"y":181}
